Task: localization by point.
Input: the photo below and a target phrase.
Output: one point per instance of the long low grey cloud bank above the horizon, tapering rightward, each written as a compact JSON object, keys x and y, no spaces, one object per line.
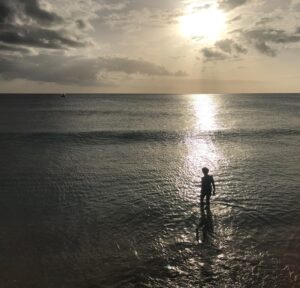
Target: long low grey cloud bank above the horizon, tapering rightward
{"x":72,"y":70}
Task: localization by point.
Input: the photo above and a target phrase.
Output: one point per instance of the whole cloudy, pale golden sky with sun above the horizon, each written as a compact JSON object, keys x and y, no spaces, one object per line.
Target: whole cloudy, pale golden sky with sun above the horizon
{"x":149,"y":46}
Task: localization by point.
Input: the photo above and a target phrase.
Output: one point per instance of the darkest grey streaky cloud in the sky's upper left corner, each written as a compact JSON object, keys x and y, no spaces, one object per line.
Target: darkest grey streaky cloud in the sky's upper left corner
{"x":25,"y":23}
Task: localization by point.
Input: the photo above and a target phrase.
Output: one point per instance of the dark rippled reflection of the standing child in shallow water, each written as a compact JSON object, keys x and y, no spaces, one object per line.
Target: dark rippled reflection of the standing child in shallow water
{"x":205,"y":226}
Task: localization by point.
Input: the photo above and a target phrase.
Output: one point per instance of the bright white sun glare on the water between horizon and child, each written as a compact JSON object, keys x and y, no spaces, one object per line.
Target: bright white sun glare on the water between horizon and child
{"x":200,"y":144}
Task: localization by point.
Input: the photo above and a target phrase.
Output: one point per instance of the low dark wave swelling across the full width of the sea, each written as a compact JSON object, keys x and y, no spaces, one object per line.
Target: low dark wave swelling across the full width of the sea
{"x":156,"y":136}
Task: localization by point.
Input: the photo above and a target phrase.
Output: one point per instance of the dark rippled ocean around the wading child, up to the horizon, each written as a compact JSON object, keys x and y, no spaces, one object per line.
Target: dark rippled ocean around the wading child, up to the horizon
{"x":103,"y":191}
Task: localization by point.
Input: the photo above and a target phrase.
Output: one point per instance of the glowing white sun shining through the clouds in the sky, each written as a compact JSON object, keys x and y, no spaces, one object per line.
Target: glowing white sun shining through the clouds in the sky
{"x":204,"y":24}
